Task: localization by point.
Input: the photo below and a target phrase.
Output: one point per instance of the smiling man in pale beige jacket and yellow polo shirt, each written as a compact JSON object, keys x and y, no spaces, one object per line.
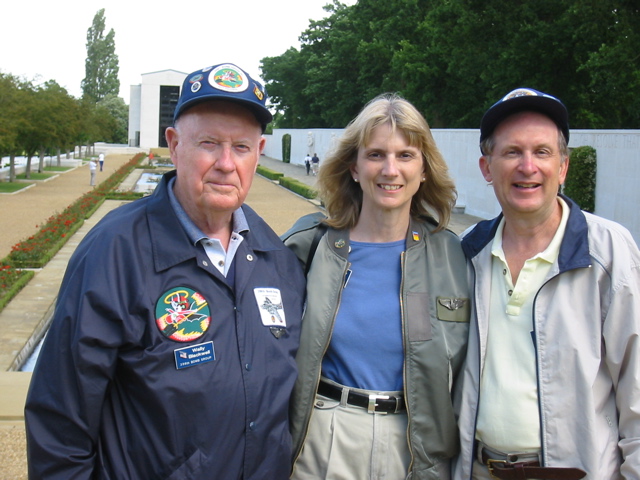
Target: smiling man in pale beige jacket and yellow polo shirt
{"x":551,"y":388}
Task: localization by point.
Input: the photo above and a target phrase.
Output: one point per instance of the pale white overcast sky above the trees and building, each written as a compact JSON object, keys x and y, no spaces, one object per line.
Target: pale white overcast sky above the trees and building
{"x":46,"y":40}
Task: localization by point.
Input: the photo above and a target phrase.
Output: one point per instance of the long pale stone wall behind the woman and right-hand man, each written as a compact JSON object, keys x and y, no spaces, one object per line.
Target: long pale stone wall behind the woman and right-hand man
{"x":617,"y":179}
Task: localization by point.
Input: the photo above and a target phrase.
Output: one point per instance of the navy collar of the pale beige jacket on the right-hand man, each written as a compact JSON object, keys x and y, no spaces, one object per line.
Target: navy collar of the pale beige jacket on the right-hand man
{"x":574,"y":249}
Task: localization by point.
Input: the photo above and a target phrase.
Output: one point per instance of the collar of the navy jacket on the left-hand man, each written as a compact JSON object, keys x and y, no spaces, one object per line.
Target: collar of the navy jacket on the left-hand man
{"x":171,"y":244}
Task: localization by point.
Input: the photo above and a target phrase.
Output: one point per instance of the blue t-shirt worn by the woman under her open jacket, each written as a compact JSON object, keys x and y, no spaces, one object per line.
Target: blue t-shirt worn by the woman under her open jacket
{"x":366,"y":349}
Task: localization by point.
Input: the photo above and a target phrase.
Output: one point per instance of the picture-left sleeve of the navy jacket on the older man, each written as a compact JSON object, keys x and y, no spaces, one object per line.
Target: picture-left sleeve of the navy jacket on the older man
{"x":72,"y":376}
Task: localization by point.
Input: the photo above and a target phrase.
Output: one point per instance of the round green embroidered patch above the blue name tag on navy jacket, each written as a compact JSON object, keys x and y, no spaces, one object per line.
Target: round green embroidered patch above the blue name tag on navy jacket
{"x":182,"y":314}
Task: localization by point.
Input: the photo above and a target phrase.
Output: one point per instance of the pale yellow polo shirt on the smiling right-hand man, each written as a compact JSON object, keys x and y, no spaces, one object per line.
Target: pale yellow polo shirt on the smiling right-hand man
{"x":508,"y":416}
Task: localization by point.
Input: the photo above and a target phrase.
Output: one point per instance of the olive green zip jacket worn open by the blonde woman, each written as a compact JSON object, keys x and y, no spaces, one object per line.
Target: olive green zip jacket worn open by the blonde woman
{"x":435,"y":319}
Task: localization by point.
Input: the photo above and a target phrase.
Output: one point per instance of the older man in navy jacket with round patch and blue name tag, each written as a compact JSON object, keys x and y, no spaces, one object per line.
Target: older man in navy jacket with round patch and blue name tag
{"x":171,"y":353}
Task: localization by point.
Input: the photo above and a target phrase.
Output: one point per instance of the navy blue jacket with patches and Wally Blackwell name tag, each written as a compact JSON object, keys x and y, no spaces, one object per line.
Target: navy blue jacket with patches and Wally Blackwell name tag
{"x":107,"y":399}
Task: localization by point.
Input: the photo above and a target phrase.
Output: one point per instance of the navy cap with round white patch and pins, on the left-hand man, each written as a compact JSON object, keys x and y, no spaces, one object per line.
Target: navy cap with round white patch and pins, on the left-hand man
{"x":224,"y":82}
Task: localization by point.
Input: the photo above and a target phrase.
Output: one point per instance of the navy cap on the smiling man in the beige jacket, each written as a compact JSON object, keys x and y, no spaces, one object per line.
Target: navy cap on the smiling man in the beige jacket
{"x":523,"y":99}
